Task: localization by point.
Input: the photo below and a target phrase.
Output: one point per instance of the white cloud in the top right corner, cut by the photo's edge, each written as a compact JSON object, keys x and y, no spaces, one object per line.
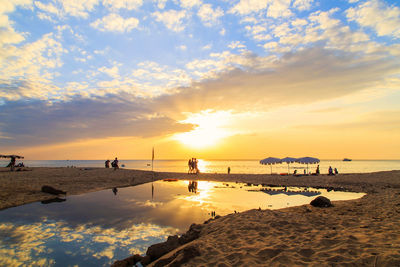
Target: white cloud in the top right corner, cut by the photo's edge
{"x":384,"y":19}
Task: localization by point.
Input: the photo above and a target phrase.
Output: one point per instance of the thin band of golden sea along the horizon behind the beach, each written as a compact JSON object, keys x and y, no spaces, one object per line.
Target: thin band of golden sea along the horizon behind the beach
{"x":221,"y":166}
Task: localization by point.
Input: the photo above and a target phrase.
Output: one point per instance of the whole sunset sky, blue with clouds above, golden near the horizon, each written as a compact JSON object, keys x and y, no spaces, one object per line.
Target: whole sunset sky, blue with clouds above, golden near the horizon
{"x":240,"y":79}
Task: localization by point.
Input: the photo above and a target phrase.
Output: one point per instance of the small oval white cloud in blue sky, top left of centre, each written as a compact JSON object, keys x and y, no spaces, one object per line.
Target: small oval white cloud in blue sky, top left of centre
{"x":115,"y":23}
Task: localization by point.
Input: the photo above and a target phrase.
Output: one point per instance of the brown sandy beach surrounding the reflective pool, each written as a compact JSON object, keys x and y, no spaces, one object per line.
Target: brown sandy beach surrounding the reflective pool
{"x":362,"y":232}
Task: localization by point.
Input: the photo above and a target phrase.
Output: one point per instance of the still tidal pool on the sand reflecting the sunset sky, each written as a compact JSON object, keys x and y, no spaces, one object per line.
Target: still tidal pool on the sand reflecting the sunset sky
{"x":95,"y":229}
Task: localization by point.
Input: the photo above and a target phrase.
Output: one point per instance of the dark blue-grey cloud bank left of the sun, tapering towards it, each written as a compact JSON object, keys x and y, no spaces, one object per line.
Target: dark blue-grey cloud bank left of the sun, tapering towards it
{"x":38,"y":122}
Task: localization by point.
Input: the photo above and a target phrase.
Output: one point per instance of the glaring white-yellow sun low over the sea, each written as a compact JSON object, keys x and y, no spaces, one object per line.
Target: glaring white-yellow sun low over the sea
{"x":209,"y":131}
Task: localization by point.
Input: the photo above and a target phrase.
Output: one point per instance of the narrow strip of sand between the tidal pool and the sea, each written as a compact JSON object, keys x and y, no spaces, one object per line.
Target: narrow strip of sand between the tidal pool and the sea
{"x":23,"y":187}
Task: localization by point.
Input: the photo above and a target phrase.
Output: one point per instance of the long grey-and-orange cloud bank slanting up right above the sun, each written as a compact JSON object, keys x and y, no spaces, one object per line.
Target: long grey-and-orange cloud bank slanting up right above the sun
{"x":307,"y":76}
